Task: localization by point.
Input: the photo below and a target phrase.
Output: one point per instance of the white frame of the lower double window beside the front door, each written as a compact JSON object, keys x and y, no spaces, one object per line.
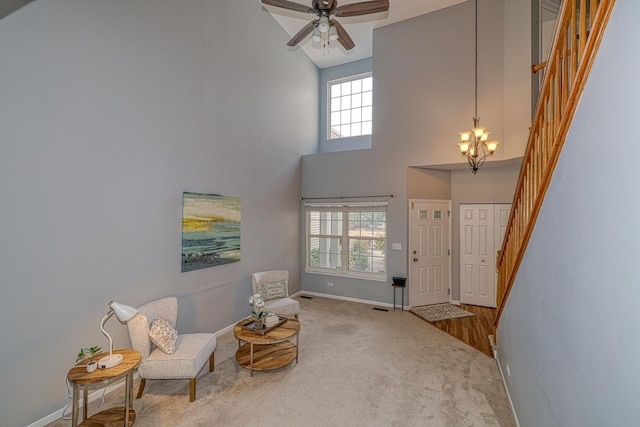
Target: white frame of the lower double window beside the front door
{"x":345,"y":238}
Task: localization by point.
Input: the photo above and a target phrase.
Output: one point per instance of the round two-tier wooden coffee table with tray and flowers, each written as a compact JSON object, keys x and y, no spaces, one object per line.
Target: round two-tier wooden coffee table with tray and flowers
{"x":272,"y":350}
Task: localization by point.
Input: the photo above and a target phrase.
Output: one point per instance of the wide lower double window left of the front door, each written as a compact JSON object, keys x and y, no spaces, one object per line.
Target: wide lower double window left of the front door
{"x":347,"y":240}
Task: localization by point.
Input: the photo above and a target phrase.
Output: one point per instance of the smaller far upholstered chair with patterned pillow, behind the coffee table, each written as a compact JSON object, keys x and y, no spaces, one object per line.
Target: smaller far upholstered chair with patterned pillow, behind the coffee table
{"x":273,"y":286}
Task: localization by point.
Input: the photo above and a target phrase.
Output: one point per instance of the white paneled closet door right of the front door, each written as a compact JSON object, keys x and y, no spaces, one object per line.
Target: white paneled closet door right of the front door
{"x":482,"y":228}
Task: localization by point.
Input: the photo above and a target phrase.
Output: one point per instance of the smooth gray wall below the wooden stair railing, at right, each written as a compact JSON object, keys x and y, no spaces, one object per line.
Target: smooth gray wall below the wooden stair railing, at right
{"x":569,"y":330}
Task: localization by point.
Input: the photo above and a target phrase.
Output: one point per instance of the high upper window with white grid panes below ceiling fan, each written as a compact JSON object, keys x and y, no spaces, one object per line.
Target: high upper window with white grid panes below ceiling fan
{"x":351,"y":106}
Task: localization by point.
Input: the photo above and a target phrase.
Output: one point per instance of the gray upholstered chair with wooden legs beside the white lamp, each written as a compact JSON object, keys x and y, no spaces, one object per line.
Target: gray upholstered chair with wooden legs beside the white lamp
{"x":191,"y":350}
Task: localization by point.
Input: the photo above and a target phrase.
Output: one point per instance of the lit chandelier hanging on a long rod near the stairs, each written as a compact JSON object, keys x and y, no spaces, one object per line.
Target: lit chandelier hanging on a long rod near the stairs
{"x":473,"y":144}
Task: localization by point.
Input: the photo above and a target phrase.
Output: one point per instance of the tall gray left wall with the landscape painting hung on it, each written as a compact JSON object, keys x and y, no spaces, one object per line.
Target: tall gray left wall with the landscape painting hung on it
{"x":109,"y":110}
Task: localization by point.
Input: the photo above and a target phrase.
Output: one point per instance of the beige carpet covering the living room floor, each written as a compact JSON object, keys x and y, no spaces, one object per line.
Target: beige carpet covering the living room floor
{"x":358,"y":367}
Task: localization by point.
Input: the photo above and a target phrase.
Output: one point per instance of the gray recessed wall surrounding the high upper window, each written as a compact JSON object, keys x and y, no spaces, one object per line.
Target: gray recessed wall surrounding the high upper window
{"x":333,"y":73}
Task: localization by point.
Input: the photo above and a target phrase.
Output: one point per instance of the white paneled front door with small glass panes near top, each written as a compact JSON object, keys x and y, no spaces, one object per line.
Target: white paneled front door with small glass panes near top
{"x":429,"y":252}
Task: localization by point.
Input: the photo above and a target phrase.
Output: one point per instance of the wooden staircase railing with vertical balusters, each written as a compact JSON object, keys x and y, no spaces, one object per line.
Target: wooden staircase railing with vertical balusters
{"x":579,"y":30}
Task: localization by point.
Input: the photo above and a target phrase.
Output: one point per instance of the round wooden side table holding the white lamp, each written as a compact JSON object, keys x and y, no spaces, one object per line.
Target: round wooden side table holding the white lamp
{"x":81,"y":380}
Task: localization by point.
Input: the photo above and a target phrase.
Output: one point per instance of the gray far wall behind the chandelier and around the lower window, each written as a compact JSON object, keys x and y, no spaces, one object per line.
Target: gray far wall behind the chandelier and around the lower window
{"x":423,"y":95}
